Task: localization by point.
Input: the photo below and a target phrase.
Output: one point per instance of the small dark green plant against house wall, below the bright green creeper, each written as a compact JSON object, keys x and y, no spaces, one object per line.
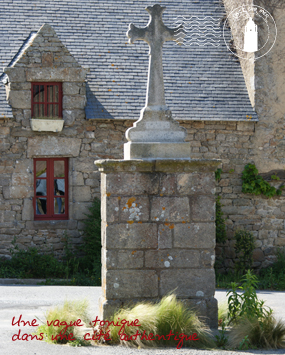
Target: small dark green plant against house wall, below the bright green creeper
{"x":244,"y":247}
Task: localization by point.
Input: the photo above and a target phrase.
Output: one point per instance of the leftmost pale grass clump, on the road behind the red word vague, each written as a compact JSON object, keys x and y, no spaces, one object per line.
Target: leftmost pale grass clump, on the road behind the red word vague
{"x":69,"y":313}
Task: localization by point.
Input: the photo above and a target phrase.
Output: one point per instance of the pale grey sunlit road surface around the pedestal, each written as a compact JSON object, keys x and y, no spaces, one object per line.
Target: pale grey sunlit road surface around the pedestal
{"x":33,"y":301}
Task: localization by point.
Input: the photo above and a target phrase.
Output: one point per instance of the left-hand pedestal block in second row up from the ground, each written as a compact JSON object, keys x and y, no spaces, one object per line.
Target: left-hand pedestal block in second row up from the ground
{"x":131,"y":283}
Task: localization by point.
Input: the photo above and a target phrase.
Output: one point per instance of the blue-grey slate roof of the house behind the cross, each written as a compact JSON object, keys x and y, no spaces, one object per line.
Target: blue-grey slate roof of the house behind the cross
{"x":201,"y":82}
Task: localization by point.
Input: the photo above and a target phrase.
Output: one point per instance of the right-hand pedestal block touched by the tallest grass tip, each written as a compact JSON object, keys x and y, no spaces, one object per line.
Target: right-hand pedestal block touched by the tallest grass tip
{"x":187,"y":283}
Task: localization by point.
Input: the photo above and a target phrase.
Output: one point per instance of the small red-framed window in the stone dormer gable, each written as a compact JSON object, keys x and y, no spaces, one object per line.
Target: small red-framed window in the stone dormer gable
{"x":46,"y":100}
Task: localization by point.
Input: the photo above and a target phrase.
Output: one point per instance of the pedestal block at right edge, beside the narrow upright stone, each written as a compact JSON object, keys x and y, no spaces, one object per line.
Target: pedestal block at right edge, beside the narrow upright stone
{"x":194,"y":235}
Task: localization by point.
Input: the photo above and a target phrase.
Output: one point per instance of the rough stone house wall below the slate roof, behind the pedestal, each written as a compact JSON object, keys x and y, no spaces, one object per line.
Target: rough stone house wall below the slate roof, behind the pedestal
{"x":232,"y":142}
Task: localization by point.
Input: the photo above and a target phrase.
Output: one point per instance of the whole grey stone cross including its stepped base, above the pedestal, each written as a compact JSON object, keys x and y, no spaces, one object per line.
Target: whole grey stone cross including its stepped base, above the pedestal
{"x":156,"y":135}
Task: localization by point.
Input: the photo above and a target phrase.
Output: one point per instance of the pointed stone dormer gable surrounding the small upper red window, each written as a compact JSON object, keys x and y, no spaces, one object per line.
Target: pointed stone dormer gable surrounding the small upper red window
{"x":46,"y":59}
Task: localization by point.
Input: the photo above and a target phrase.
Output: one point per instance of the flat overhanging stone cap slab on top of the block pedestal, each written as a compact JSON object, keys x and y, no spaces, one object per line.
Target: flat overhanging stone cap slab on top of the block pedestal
{"x":108,"y":166}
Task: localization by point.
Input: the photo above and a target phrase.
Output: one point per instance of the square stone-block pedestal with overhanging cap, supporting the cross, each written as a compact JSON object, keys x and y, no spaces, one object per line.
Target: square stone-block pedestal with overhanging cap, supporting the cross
{"x":158,"y":233}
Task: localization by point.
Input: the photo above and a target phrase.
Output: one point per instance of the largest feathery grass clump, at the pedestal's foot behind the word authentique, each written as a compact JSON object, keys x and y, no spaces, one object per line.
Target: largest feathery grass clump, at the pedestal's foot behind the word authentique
{"x":158,"y":322}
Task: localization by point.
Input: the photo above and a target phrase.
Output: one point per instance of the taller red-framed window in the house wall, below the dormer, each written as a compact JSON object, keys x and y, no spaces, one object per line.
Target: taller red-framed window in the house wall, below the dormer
{"x":50,"y":188}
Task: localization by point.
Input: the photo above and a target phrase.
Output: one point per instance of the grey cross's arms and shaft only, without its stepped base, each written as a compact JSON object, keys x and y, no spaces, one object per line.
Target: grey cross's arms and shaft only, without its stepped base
{"x":155,"y":34}
